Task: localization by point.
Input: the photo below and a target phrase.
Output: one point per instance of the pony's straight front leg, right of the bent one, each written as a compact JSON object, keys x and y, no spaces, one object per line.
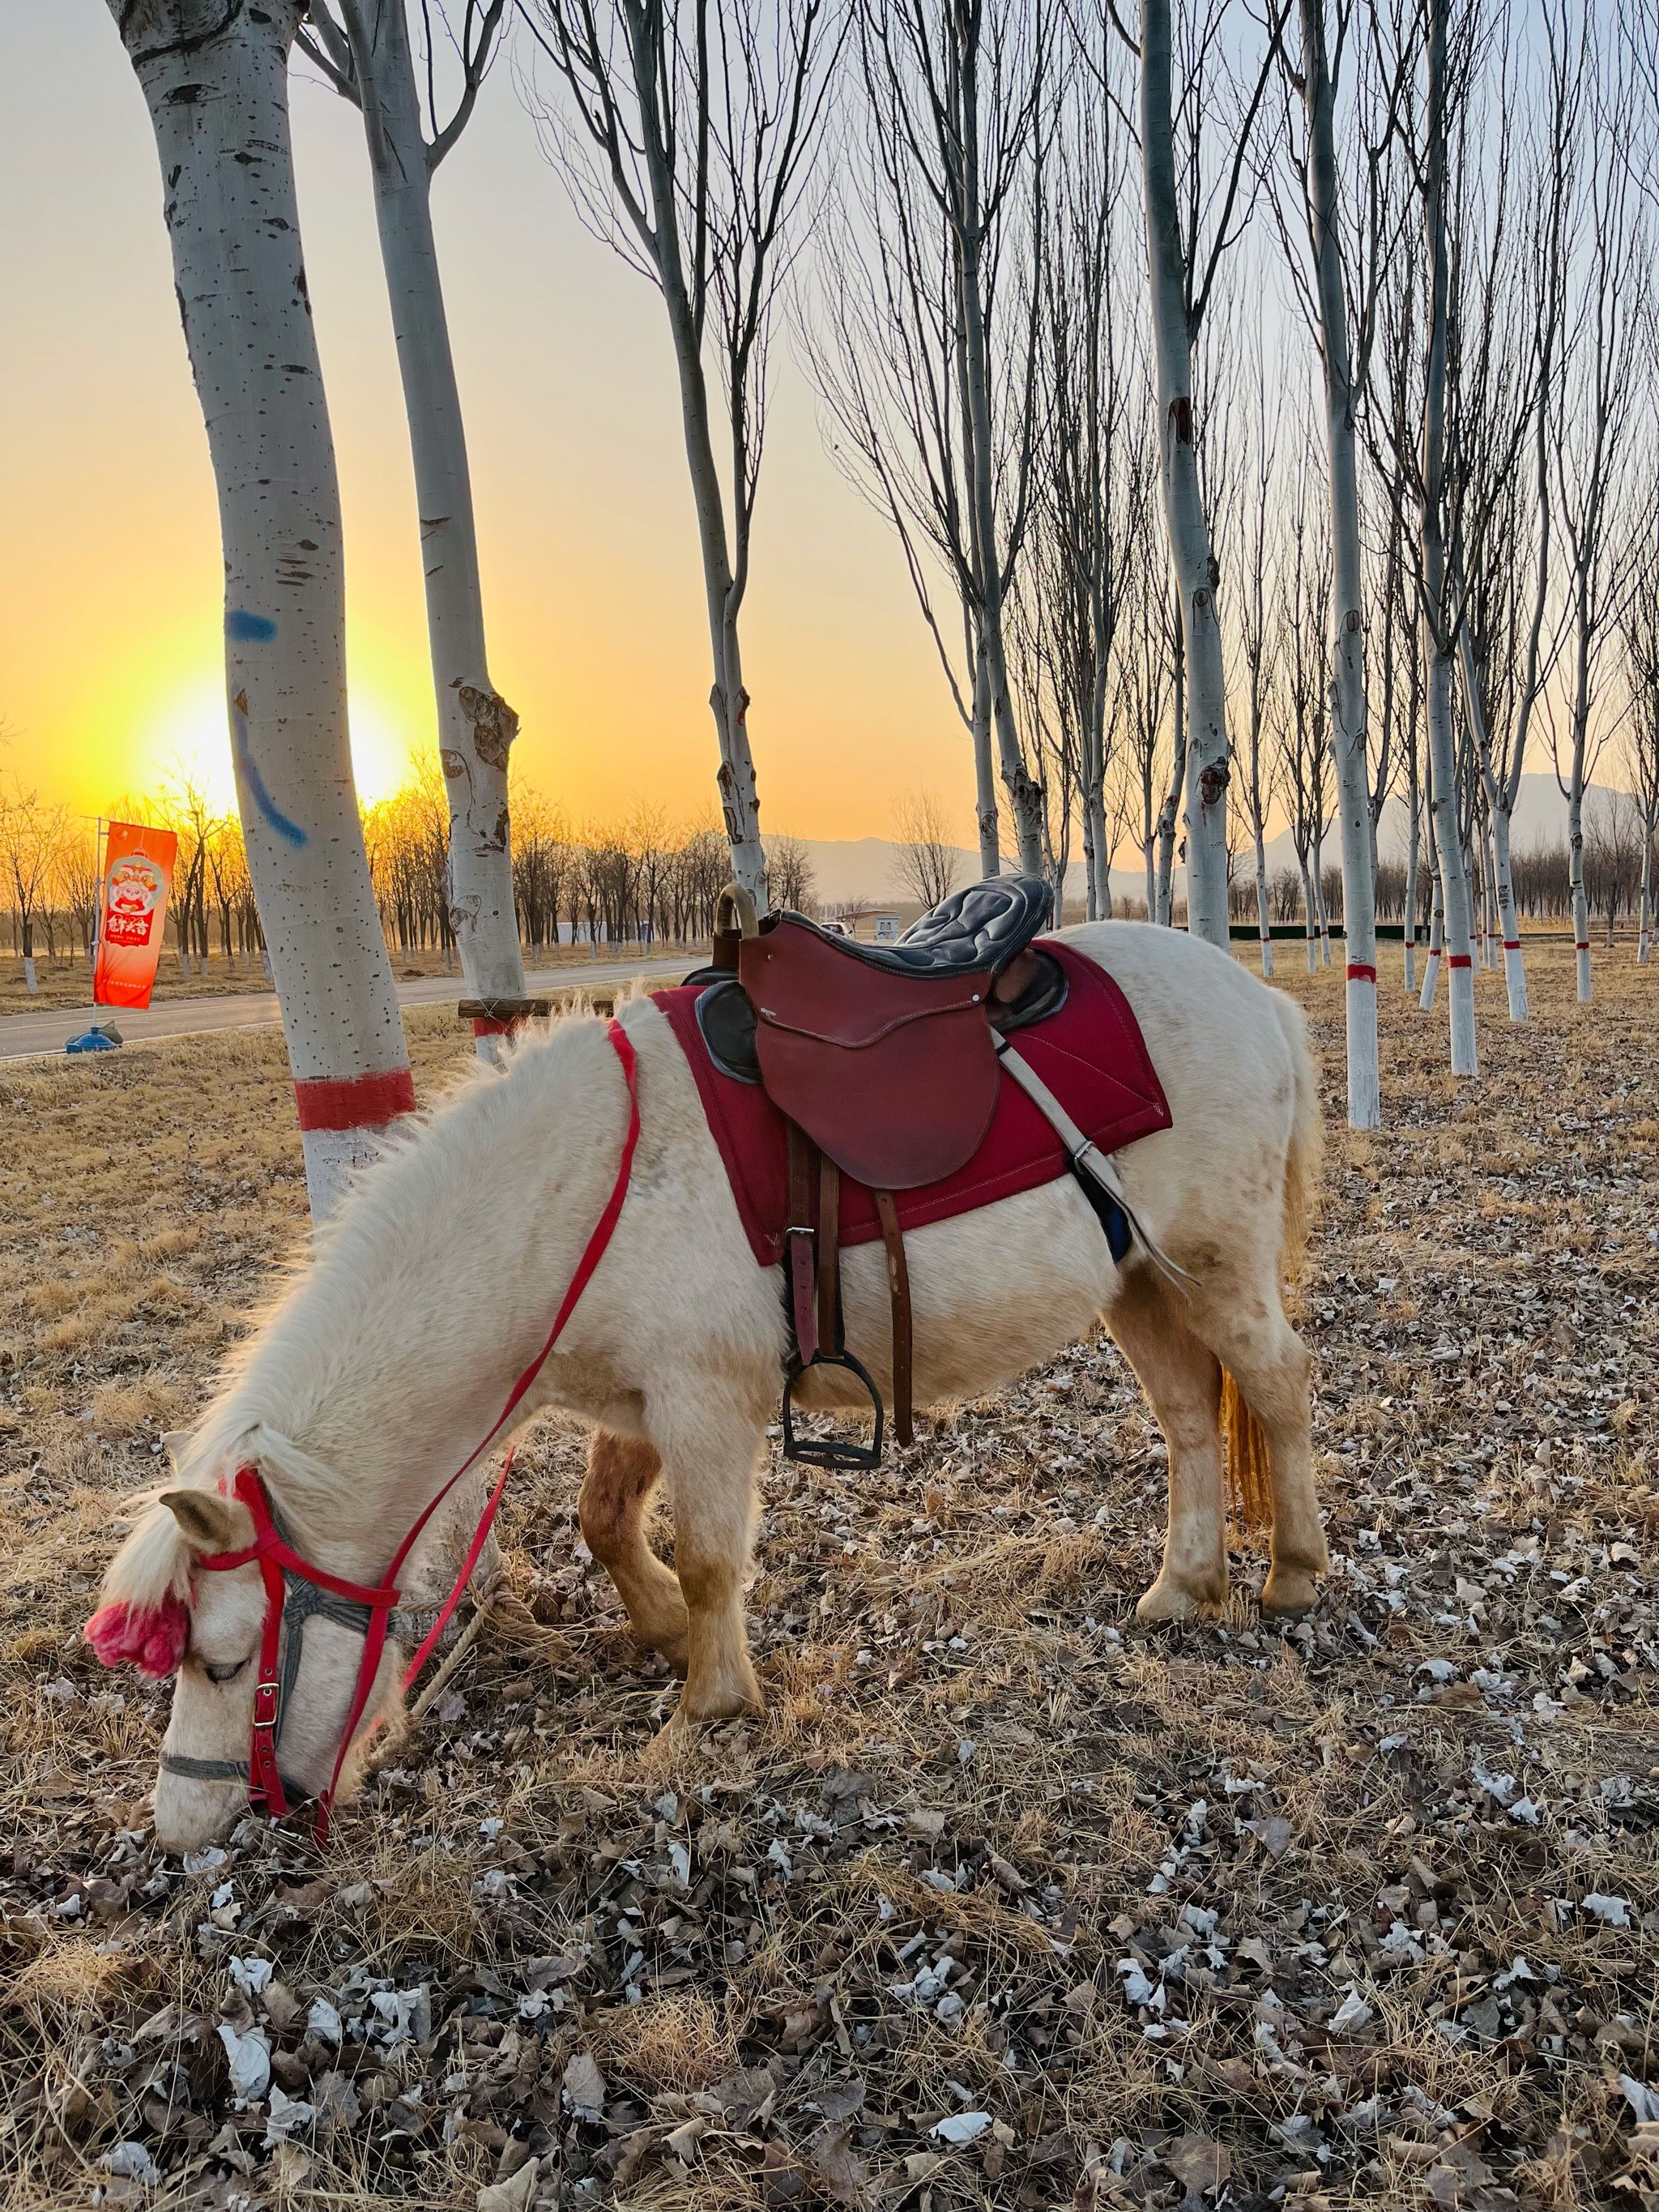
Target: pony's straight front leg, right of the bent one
{"x":709,"y":1446}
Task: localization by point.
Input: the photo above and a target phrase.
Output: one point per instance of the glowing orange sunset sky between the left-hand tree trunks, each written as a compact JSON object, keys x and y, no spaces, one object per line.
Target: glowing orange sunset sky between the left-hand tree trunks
{"x":109,"y":563}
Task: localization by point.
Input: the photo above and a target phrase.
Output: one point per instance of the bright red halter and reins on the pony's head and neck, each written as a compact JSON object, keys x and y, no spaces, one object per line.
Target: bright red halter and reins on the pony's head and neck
{"x":280,"y":1561}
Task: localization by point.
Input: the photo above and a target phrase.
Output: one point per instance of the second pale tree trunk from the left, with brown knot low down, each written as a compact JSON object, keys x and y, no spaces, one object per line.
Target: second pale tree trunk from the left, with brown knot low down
{"x":474,"y":724}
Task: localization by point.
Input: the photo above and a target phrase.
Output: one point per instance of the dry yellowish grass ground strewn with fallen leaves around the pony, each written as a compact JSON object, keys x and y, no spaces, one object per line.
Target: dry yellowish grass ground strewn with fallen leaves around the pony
{"x":1001,"y":1906}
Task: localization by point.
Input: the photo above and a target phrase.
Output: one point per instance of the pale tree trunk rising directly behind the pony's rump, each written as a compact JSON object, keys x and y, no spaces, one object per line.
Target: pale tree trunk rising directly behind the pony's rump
{"x":1193,"y":559}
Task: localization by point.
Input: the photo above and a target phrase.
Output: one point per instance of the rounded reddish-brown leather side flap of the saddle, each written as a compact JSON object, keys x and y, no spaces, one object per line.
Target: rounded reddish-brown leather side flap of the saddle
{"x":893,"y":1076}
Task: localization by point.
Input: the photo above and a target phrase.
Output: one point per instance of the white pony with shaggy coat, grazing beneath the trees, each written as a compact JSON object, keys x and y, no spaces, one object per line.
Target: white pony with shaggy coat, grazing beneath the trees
{"x":393,"y":1353}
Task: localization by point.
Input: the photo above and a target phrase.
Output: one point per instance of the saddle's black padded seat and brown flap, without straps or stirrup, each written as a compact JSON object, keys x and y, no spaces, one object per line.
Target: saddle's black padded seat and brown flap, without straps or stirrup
{"x":884,"y":1054}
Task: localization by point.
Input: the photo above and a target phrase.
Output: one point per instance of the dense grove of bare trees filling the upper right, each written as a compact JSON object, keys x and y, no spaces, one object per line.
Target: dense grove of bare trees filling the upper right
{"x":1386,"y":386}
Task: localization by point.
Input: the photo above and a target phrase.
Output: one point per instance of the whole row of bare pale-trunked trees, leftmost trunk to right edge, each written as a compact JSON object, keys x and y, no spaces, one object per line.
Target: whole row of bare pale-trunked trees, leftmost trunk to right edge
{"x":1258,"y":401}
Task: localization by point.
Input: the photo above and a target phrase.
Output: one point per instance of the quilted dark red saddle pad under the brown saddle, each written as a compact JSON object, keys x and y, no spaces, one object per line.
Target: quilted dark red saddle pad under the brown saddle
{"x":1092,"y":1056}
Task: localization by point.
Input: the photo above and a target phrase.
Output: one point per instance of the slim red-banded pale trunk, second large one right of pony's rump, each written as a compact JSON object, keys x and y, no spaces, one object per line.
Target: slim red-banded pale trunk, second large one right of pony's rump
{"x":1452,"y":877}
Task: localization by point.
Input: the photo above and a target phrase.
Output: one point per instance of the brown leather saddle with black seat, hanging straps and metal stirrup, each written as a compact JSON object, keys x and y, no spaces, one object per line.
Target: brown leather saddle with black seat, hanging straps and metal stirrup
{"x":884,"y":1063}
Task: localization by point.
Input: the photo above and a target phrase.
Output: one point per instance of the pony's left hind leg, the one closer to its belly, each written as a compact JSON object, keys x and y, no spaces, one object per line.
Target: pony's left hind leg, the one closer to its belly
{"x":1185,"y":1386}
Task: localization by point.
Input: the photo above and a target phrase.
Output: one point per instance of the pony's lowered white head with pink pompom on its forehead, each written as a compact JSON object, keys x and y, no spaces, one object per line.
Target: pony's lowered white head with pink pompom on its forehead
{"x":165,"y":1616}
